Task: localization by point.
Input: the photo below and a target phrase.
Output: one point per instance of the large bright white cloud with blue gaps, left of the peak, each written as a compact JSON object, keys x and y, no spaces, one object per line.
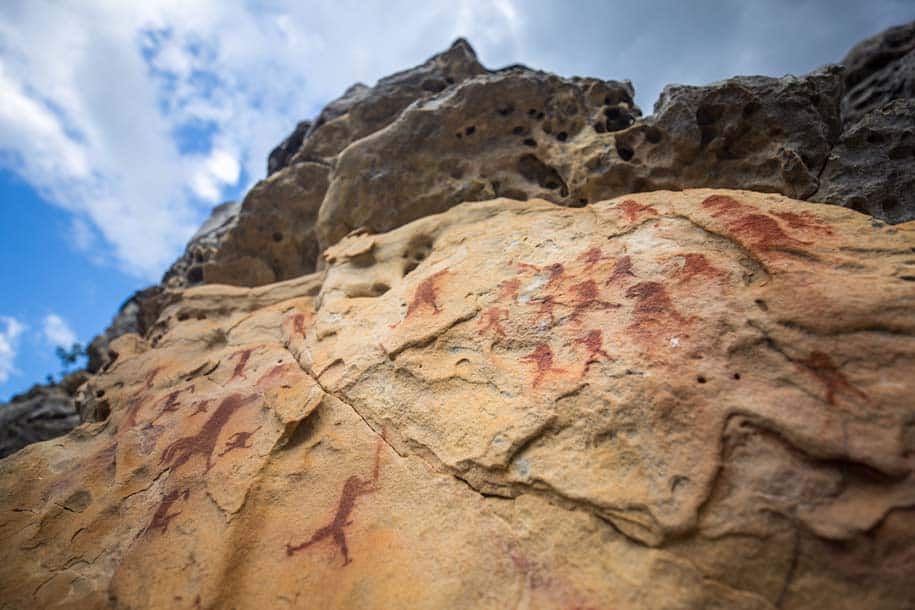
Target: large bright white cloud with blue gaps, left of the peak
{"x":139,"y":116}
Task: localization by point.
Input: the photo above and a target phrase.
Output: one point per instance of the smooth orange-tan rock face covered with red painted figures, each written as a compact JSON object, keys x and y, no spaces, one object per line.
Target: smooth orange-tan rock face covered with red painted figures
{"x":696,"y":399}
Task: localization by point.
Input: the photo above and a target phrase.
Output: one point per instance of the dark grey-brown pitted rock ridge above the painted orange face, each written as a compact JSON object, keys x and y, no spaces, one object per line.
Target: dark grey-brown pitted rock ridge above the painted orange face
{"x":450,"y":131}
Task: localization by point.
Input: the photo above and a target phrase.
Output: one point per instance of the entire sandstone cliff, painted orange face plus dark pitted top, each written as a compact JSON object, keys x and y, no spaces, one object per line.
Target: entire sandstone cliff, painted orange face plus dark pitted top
{"x":470,"y":361}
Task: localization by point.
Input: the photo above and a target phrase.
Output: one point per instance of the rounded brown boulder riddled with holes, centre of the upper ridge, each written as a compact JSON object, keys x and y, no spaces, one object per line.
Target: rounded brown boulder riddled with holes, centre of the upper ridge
{"x":515,"y":133}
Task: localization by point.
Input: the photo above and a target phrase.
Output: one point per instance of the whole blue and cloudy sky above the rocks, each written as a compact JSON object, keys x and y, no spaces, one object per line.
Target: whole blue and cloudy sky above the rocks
{"x":122,"y":123}
